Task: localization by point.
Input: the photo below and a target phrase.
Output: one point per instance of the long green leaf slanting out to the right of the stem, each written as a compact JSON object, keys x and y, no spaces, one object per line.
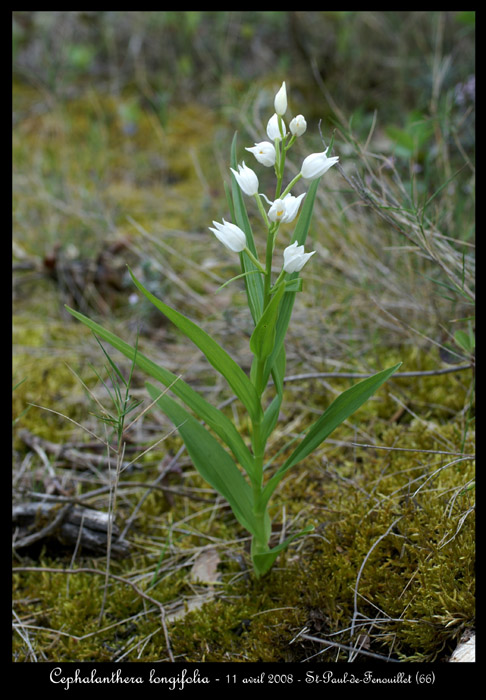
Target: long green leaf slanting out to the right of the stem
{"x":340,"y":409}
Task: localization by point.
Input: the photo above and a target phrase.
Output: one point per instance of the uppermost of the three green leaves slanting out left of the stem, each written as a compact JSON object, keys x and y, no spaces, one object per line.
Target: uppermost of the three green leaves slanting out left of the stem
{"x":214,"y":353}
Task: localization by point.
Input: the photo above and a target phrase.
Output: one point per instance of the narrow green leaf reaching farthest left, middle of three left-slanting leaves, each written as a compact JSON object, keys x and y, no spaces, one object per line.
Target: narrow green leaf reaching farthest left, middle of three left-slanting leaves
{"x":216,"y":420}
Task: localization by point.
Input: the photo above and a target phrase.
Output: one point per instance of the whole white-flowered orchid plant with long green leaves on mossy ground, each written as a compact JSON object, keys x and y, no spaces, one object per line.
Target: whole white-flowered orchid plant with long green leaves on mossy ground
{"x":236,"y":470}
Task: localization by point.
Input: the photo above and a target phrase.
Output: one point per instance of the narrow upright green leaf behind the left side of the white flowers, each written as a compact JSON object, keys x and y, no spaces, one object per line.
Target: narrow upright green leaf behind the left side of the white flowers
{"x":253,"y":283}
